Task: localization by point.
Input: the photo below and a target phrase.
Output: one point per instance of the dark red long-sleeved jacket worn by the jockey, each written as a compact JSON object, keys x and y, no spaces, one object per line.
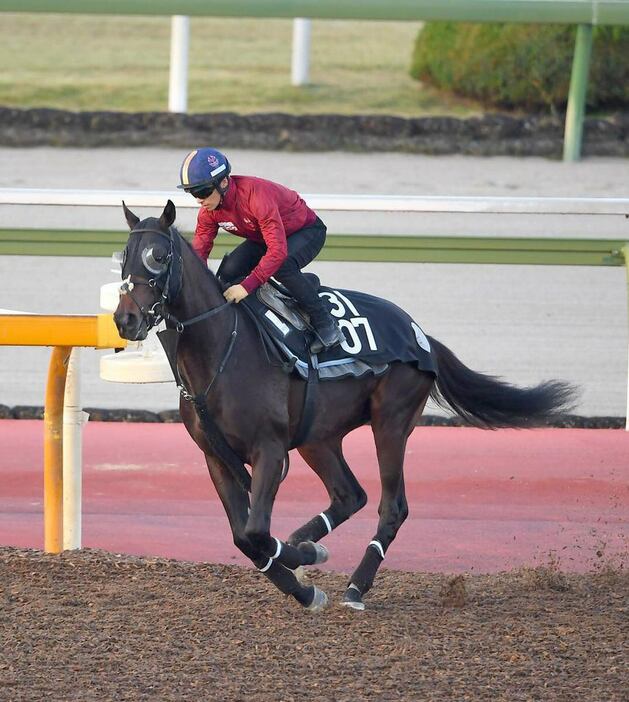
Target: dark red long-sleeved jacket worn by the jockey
{"x":259,"y":210}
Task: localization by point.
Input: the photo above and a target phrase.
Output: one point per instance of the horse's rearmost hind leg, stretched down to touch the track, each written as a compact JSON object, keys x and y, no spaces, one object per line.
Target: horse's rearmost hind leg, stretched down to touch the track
{"x":395,"y":404}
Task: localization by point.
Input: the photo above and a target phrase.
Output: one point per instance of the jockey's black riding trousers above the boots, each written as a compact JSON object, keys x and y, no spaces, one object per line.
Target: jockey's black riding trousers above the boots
{"x":303,"y":246}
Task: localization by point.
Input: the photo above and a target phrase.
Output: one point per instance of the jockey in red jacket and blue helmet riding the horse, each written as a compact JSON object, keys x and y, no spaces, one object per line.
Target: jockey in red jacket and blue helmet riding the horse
{"x":282,"y":234}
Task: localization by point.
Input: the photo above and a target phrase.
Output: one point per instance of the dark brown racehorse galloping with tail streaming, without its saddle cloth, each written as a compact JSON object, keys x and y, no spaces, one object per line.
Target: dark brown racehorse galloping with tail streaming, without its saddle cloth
{"x":240,"y":408}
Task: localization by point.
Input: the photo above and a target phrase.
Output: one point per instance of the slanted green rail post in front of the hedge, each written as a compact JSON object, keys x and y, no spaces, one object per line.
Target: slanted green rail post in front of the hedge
{"x":573,"y":134}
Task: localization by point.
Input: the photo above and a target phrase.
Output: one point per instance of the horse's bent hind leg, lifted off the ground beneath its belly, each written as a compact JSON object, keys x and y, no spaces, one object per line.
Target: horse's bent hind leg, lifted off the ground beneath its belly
{"x":346,"y":494}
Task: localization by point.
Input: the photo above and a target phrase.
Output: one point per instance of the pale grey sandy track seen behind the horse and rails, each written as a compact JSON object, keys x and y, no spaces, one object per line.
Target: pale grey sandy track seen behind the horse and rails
{"x":525,"y":323}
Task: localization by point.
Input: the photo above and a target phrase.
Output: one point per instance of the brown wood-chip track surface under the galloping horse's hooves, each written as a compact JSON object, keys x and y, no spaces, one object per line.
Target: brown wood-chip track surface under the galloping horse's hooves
{"x":93,"y":625}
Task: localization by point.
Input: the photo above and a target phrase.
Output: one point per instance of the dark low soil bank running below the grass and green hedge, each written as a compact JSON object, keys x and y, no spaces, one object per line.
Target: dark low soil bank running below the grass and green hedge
{"x":489,"y":135}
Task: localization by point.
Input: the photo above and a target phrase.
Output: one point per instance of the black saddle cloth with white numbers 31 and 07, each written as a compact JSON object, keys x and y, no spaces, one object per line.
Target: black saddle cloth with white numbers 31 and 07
{"x":377,"y":333}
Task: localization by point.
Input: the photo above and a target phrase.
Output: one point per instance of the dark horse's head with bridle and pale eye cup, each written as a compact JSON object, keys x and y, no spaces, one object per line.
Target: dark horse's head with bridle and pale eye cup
{"x":151,"y":272}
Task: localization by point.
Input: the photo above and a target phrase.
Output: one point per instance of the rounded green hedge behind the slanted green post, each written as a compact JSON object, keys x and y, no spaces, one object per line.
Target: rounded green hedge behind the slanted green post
{"x":520,"y":66}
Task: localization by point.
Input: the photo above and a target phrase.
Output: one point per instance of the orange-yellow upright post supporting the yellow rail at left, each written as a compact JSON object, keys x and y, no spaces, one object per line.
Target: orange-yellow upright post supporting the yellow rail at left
{"x":53,"y":449}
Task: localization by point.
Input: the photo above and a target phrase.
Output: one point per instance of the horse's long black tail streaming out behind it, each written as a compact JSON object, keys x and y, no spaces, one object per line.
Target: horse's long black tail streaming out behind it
{"x":487,"y":402}
